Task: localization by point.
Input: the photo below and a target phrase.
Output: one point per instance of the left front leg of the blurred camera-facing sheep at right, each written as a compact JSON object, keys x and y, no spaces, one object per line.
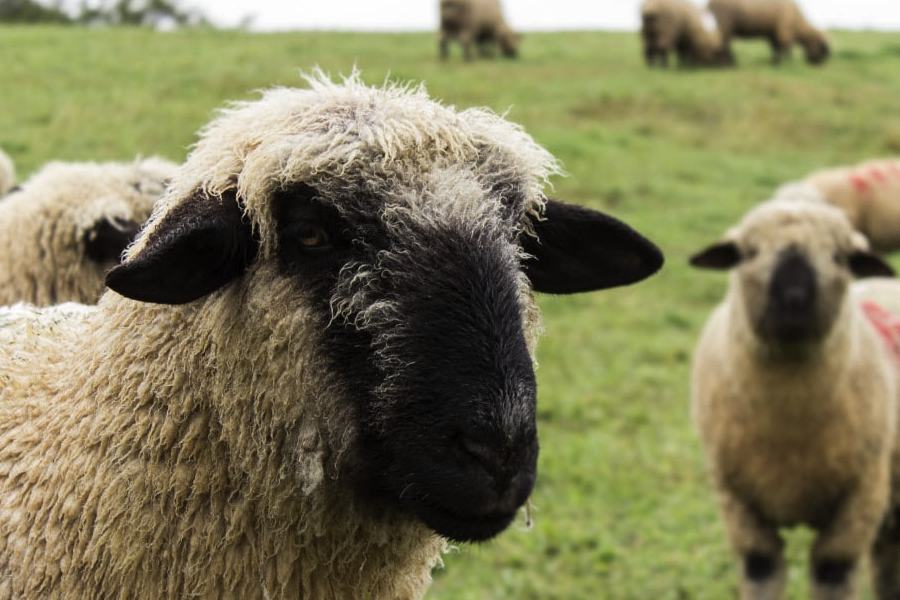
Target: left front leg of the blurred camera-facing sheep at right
{"x":759,"y":547}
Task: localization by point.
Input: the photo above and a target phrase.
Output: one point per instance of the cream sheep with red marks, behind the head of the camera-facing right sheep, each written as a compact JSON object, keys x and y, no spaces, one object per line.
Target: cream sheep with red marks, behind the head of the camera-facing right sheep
{"x":868,"y":193}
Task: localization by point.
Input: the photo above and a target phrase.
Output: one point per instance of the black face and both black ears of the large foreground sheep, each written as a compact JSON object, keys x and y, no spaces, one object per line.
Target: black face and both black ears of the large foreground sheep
{"x":442,"y":380}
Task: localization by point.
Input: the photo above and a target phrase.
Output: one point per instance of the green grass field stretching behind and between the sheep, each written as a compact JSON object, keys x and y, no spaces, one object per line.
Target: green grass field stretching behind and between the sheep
{"x":622,"y":505}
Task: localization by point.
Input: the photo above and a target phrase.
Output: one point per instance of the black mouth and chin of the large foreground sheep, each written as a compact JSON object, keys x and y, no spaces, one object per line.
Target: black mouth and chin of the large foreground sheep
{"x":456,"y":525}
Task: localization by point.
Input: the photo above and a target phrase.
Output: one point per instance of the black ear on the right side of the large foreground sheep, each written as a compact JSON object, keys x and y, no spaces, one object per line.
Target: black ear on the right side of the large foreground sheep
{"x":579,"y":250}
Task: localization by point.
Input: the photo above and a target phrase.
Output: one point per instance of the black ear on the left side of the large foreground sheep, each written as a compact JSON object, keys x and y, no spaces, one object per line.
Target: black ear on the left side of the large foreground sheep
{"x":197,"y":248}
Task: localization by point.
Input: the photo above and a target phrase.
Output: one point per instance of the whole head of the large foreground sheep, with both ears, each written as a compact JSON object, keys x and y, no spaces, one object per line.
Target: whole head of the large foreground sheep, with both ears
{"x":414,"y":278}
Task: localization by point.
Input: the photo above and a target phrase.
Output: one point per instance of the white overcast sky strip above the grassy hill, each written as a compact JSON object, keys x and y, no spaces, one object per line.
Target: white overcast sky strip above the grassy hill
{"x":421,"y":15}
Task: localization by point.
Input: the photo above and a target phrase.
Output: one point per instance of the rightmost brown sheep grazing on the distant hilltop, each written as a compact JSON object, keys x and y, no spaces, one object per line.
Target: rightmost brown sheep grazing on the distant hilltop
{"x":779,"y":21}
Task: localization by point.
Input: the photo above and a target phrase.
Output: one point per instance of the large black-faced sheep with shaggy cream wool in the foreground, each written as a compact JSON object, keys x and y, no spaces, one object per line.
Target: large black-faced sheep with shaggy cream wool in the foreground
{"x":315,"y":363}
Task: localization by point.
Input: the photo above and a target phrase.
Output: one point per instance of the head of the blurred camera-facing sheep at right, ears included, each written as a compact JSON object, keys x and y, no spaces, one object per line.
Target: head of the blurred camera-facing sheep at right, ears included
{"x":793,"y":263}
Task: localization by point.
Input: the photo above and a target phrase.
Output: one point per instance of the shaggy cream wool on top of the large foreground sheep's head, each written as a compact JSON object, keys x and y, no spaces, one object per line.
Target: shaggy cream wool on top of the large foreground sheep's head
{"x":353,"y":142}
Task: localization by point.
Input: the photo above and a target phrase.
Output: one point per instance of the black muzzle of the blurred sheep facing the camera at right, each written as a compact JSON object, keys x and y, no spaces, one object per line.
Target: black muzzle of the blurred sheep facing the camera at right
{"x":791,"y":311}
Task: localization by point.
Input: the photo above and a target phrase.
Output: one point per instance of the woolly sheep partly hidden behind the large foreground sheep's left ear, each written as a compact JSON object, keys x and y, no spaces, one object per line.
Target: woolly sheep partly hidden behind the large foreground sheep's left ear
{"x":69,"y":223}
